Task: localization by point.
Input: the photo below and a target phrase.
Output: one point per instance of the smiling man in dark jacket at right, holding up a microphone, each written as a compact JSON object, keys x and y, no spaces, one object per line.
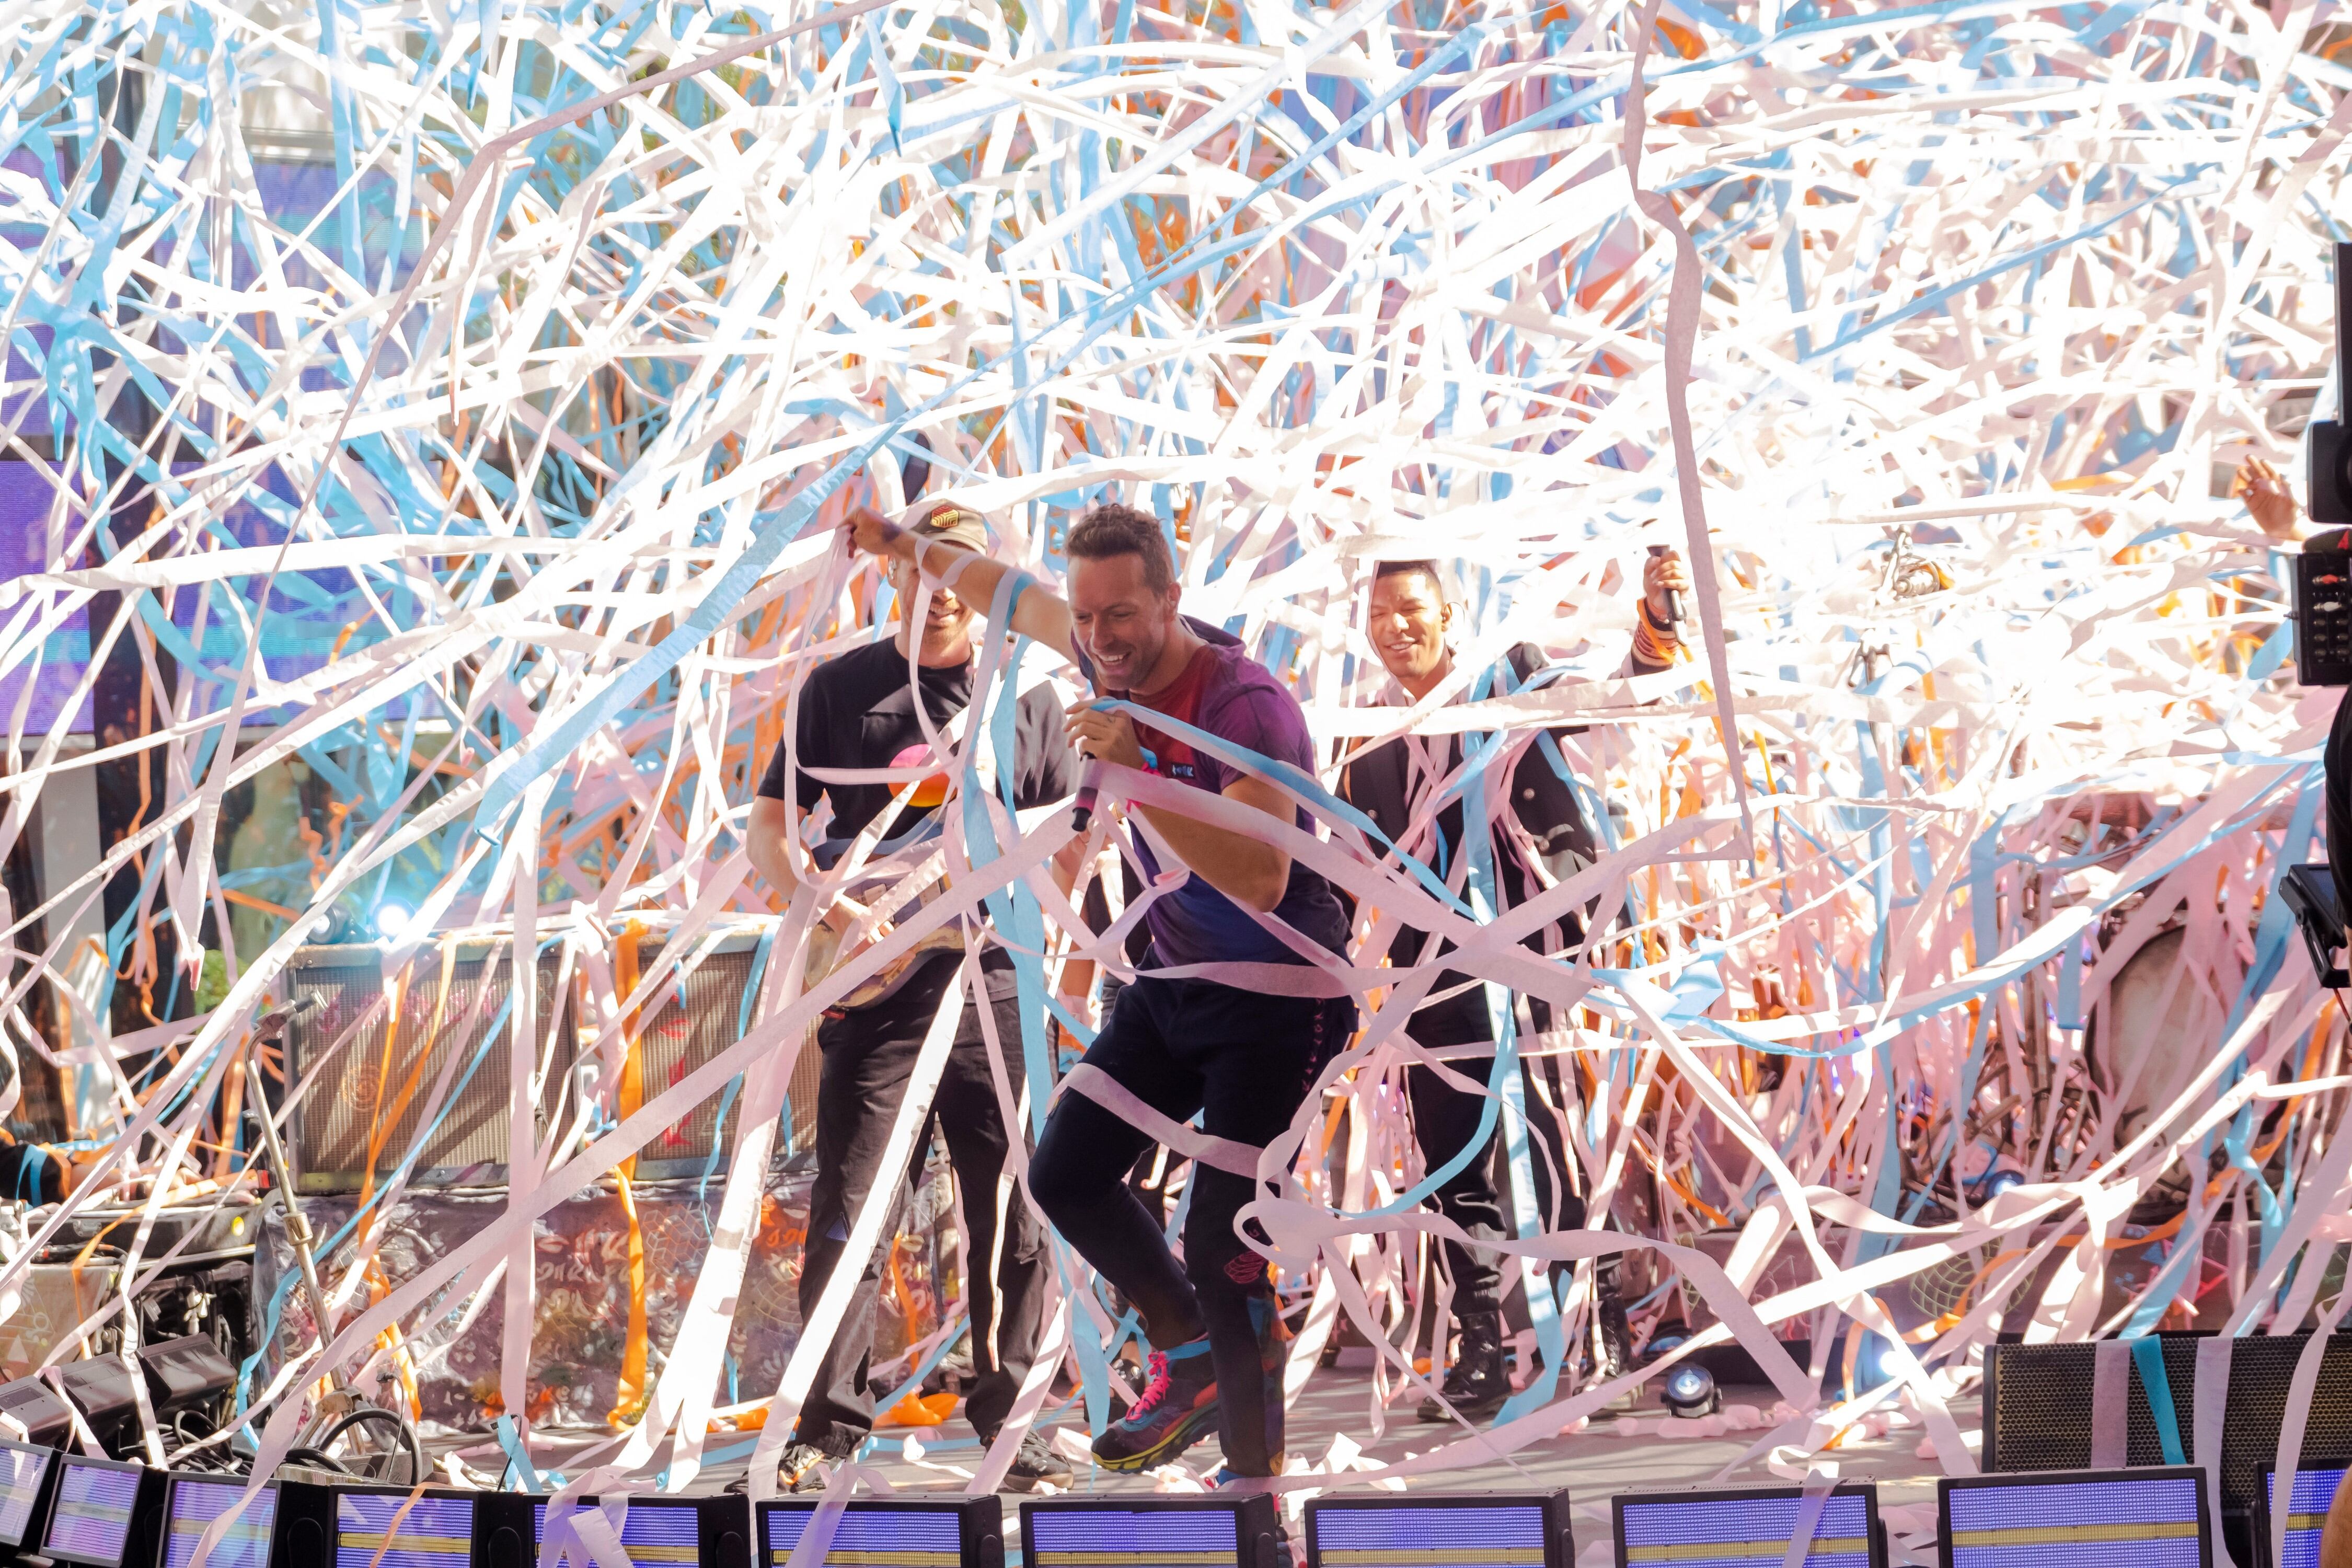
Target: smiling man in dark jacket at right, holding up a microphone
{"x":1394,"y":786}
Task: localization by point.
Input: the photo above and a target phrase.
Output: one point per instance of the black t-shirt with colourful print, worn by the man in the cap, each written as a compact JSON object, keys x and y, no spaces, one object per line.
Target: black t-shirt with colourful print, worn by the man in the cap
{"x":860,"y":713}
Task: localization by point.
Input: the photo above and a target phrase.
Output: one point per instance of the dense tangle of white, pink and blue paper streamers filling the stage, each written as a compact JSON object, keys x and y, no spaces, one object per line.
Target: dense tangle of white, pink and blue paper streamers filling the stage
{"x":462,"y":401}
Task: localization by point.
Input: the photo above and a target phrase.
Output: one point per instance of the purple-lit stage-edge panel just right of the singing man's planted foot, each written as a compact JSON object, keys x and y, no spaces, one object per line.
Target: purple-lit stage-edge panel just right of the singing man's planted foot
{"x":1462,"y":1532}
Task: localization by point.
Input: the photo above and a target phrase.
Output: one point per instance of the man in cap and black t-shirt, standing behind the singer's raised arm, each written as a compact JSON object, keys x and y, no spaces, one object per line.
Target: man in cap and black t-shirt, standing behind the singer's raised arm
{"x":857,"y":713}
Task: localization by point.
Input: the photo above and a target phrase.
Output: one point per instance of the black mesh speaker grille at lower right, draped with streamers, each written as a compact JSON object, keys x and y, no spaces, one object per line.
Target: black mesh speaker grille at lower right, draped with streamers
{"x":2038,"y":1407}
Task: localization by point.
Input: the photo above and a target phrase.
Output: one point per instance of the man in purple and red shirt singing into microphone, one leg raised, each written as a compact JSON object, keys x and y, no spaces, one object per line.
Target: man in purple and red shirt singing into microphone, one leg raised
{"x":1182,"y":1043}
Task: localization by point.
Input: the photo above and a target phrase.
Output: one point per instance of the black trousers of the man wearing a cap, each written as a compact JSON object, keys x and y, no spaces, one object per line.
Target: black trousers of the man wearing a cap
{"x":867,"y":1064}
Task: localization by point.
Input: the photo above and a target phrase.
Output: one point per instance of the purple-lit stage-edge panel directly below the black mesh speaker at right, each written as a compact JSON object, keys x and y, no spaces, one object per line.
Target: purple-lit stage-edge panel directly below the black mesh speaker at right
{"x":2139,"y":1517}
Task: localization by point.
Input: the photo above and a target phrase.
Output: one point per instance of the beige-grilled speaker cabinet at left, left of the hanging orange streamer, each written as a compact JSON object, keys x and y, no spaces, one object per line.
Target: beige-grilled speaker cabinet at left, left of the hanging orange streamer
{"x":389,"y":1068}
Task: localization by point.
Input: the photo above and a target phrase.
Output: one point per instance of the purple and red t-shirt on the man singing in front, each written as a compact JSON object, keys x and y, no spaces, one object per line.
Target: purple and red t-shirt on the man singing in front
{"x":1231,"y":697}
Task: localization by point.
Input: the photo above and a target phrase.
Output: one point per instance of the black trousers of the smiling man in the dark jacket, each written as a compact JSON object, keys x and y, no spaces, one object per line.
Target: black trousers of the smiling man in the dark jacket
{"x":1448,"y":1118}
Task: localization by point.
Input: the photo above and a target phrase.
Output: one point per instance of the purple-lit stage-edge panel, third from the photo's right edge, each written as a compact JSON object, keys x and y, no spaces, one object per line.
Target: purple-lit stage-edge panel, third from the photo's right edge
{"x":1751,"y":1525}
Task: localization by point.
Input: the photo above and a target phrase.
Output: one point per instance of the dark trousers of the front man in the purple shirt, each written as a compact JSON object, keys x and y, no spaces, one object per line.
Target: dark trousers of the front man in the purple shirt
{"x":1245,"y":1064}
